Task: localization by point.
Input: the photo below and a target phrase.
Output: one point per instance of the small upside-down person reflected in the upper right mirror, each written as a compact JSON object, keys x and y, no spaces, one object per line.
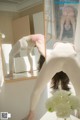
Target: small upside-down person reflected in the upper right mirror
{"x":68,"y":20}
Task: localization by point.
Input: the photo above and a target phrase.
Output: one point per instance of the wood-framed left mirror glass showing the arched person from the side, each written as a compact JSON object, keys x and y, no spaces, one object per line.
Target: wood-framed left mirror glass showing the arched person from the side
{"x":24,"y":39}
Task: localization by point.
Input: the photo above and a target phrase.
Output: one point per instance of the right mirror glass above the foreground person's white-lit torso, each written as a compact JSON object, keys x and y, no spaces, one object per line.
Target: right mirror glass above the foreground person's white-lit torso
{"x":60,"y":21}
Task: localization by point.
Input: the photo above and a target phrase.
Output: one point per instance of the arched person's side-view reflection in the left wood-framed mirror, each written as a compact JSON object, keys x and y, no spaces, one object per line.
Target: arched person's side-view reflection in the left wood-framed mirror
{"x":26,"y":43}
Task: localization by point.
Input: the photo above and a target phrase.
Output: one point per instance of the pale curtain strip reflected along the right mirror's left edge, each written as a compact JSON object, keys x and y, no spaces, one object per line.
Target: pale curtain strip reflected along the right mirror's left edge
{"x":50,"y":21}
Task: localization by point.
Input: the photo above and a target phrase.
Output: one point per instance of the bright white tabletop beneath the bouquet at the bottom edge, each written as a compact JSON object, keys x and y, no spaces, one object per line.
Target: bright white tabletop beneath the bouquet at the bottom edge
{"x":52,"y":116}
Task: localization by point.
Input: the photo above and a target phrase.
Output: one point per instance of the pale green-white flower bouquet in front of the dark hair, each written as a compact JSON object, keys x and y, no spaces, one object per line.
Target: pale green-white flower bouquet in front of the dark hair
{"x":63,"y":103}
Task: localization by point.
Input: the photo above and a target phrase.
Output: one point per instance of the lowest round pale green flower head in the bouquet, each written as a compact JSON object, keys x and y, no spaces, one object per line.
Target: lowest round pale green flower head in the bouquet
{"x":63,"y":110}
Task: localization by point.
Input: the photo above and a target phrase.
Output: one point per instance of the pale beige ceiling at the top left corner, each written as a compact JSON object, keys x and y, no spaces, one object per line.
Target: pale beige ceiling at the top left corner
{"x":17,"y":5}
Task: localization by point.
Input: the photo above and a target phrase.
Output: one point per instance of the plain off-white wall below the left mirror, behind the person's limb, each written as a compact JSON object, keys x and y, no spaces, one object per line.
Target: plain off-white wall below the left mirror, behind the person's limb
{"x":15,"y":99}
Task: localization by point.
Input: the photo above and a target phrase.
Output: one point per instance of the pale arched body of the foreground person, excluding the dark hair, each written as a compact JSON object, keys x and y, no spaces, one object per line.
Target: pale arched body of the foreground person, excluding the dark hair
{"x":62,"y":58}
